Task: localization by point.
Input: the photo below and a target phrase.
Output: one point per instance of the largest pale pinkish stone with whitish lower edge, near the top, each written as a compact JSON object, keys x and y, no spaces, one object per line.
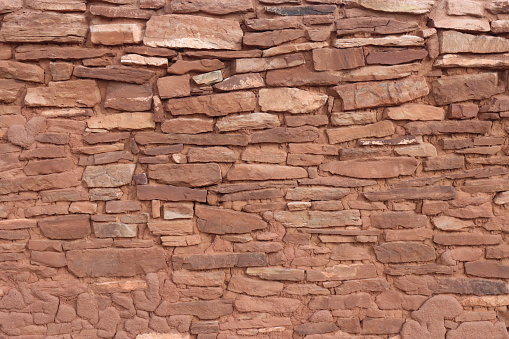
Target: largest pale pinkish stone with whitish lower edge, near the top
{"x":189,"y":31}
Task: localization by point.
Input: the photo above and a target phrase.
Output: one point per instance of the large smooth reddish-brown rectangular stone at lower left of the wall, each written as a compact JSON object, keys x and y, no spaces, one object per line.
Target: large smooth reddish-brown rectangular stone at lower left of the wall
{"x":115,"y":262}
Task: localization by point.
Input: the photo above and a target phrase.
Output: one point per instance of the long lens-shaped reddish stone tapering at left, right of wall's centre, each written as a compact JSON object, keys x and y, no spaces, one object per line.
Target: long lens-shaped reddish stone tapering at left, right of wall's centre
{"x":385,"y":167}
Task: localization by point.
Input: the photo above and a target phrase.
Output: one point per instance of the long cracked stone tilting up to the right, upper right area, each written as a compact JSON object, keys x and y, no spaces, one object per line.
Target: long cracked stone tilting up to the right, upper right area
{"x":387,"y":93}
